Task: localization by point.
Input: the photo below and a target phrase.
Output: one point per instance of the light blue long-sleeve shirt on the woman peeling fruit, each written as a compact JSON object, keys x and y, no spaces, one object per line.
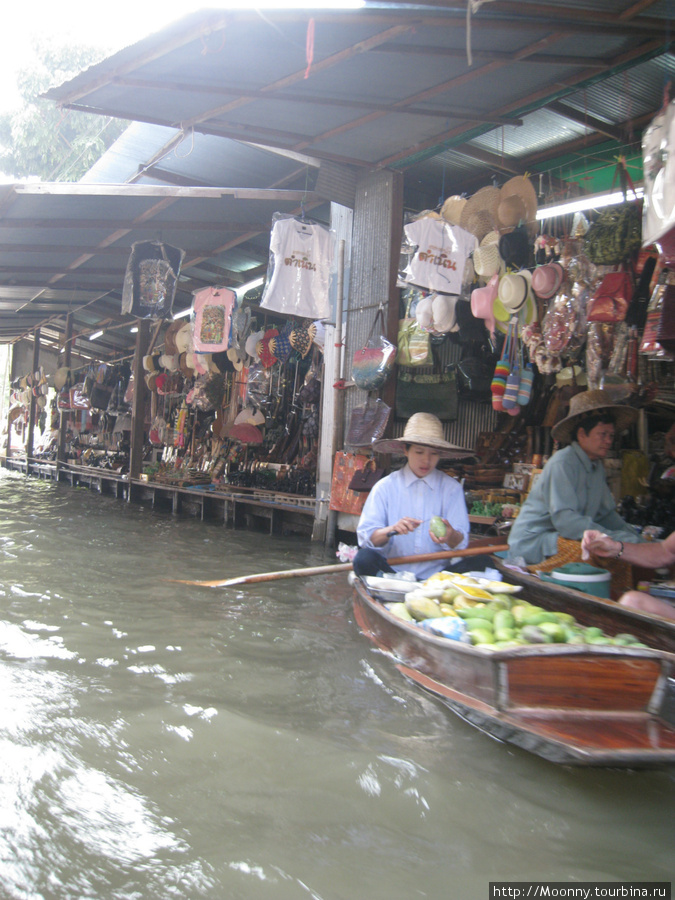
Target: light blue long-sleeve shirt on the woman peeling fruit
{"x":404,"y":494}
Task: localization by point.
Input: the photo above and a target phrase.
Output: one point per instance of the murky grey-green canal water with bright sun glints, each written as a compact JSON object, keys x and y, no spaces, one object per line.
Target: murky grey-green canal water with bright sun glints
{"x":159,"y":740}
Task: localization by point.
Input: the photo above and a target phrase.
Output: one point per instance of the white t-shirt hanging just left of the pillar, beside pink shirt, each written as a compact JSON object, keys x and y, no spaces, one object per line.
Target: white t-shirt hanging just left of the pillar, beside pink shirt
{"x":300,"y":280}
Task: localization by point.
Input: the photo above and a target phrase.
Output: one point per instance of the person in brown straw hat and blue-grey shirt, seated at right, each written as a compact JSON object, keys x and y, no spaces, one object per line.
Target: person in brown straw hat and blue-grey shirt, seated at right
{"x":572,"y":494}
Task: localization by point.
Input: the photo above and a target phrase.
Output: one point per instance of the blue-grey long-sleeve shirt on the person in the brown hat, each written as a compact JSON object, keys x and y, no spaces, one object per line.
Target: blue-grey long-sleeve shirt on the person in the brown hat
{"x":570,"y":496}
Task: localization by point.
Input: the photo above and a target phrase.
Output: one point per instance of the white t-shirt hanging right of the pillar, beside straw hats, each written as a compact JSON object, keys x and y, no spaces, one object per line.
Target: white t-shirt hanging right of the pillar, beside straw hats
{"x":441,"y":254}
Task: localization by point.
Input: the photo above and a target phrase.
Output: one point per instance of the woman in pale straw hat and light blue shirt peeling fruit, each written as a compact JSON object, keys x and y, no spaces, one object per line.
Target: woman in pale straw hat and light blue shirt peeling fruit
{"x":396,"y":517}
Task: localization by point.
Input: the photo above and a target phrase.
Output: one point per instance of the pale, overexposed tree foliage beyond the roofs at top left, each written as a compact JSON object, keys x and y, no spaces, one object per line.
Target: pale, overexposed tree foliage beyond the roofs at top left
{"x":41,"y":140}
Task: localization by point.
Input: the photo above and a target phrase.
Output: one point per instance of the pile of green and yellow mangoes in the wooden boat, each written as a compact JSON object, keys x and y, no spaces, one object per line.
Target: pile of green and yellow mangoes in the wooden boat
{"x":506,"y":621}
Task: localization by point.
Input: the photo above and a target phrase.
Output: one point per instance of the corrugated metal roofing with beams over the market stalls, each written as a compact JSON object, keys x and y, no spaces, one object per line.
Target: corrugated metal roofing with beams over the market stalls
{"x":229,"y":99}
